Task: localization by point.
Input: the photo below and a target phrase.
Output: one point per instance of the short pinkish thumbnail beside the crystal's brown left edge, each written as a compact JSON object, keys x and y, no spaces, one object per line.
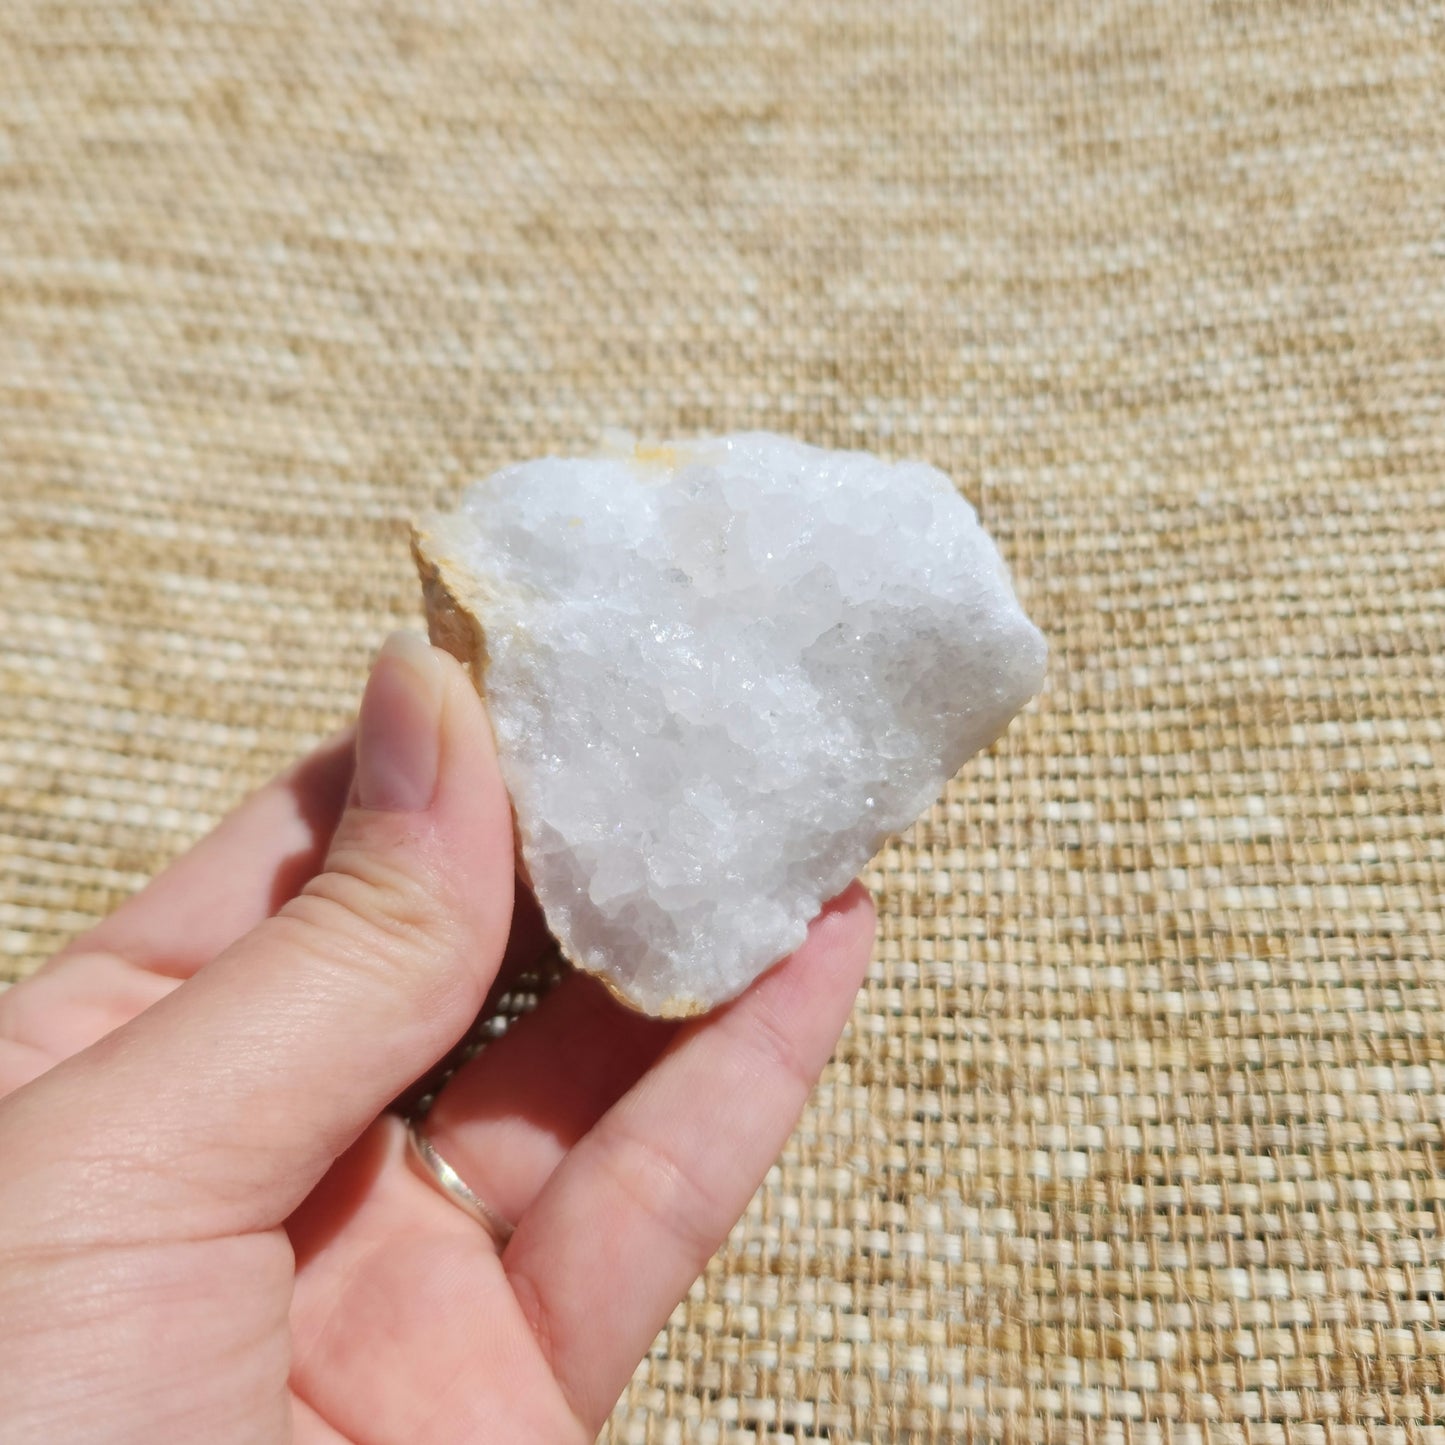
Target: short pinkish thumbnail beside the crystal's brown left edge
{"x":400,"y":729}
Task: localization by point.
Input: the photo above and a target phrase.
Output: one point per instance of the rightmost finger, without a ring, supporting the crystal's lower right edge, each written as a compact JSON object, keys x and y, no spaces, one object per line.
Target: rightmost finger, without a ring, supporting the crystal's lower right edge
{"x":638,"y":1209}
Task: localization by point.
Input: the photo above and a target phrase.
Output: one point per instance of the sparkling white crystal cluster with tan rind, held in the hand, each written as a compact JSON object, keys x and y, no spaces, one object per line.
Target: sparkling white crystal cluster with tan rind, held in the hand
{"x":720,"y":674}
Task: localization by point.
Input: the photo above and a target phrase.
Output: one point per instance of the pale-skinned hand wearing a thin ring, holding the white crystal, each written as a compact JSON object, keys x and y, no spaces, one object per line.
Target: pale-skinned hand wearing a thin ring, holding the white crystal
{"x":209,"y":1226}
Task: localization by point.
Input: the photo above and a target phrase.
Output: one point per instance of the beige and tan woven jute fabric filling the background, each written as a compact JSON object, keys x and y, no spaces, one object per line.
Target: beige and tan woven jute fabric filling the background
{"x":1136,"y":1134}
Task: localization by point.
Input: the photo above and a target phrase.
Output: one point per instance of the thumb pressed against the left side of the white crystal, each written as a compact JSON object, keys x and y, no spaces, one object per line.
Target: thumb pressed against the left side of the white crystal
{"x":220,"y":1108}
